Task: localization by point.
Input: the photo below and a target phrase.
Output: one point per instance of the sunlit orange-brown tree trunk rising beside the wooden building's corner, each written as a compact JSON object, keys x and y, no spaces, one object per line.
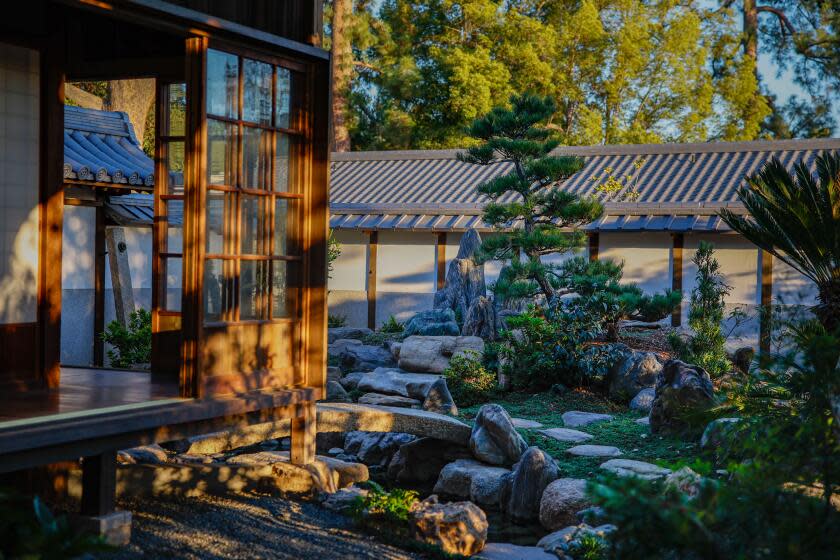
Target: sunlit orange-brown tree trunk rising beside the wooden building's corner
{"x":342,"y":73}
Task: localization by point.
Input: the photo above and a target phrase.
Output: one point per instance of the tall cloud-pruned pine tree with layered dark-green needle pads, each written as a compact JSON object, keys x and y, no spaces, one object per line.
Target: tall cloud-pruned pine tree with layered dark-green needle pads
{"x":529,"y":199}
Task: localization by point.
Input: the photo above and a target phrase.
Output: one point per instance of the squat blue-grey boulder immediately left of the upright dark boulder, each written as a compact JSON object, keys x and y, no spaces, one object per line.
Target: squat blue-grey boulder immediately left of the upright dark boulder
{"x":466,"y":478}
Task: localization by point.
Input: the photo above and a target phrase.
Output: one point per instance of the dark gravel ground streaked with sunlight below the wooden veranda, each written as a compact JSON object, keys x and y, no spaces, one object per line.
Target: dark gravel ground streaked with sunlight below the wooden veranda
{"x":247,"y":527}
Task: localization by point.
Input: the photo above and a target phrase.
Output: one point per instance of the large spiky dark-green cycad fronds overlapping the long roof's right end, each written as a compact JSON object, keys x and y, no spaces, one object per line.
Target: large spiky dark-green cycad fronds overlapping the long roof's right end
{"x":796,"y":217}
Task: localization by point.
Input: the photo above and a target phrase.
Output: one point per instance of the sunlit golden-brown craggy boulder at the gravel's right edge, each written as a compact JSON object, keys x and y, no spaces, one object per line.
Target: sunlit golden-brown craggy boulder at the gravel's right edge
{"x":457,"y":528}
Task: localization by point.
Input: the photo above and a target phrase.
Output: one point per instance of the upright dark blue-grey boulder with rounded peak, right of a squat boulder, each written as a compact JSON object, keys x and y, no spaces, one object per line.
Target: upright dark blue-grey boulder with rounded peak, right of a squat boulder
{"x":523,"y":488}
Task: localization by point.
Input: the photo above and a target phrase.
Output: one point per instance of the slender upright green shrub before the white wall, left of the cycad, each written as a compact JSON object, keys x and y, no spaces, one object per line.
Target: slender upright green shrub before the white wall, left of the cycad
{"x":707,"y":346}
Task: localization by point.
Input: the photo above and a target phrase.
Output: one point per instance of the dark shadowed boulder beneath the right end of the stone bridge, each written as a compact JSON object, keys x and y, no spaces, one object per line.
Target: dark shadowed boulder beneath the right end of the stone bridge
{"x":422,"y":460}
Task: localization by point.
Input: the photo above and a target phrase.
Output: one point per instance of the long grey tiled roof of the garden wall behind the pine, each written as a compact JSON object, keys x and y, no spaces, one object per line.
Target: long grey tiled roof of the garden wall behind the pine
{"x":681,"y":186}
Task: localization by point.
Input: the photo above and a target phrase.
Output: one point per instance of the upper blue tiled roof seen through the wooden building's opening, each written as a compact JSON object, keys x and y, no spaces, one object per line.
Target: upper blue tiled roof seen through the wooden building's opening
{"x":100,"y":146}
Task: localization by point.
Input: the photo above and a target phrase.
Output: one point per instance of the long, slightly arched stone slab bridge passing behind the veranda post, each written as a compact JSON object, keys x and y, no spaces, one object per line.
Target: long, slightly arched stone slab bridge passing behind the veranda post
{"x":340,"y":417}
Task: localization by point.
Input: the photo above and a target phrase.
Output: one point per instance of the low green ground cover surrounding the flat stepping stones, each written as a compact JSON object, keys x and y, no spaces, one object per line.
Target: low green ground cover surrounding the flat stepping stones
{"x":634,"y":440}
